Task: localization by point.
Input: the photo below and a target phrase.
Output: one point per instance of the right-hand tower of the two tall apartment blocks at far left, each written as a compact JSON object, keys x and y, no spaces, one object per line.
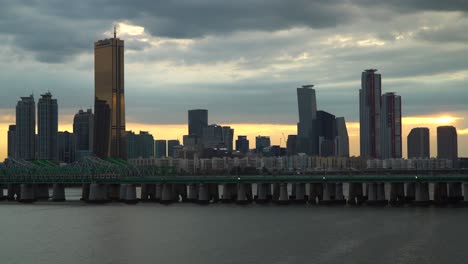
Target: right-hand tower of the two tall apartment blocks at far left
{"x":47,"y":126}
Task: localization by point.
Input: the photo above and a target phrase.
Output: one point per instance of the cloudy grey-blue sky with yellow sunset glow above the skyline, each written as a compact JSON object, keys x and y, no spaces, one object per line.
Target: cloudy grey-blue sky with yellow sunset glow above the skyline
{"x":242,"y":60}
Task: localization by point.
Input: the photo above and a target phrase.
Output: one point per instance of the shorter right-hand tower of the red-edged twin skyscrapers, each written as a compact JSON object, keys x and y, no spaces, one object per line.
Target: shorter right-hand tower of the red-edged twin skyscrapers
{"x":390,"y":126}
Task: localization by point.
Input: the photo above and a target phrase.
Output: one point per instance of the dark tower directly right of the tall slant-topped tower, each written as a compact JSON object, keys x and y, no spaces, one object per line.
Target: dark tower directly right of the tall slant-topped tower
{"x":326,"y":133}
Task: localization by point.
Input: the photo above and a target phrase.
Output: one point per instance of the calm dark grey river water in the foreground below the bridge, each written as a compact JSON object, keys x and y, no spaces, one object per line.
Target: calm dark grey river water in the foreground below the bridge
{"x":74,"y":232}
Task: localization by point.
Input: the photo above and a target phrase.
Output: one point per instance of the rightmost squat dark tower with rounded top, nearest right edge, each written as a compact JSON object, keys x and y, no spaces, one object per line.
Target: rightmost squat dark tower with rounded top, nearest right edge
{"x":447,"y":144}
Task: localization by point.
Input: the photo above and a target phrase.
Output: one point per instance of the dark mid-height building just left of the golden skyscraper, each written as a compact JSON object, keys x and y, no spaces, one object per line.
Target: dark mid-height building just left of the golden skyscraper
{"x":83,"y":131}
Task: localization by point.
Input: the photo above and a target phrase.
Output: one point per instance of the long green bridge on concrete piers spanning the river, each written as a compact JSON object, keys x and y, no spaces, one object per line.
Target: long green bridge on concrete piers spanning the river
{"x":116,"y":180}
